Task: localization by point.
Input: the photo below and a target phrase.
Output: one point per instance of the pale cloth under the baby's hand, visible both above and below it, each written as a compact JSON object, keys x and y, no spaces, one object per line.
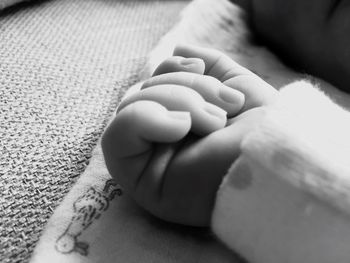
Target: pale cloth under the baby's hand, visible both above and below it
{"x":97,"y":222}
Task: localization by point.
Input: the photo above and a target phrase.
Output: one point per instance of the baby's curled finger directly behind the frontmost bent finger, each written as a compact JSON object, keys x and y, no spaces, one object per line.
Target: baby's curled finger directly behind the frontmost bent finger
{"x":205,"y":117}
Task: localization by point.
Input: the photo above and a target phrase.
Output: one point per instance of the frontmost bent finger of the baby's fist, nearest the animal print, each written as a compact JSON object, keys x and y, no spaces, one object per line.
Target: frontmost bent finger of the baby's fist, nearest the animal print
{"x":127,"y":142}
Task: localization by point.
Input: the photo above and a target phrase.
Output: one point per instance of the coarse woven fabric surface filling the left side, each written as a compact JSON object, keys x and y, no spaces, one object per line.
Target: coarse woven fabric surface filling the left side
{"x":63,"y":67}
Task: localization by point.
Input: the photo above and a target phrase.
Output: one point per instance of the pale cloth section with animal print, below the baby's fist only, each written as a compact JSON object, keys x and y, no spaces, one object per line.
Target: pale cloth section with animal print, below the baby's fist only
{"x":97,"y":222}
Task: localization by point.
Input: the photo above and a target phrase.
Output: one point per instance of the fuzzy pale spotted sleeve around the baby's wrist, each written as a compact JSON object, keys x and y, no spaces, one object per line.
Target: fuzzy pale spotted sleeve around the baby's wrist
{"x":287,"y":197}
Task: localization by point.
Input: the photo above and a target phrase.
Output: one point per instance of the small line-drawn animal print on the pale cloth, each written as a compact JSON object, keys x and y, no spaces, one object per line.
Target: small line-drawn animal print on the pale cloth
{"x":87,"y":208}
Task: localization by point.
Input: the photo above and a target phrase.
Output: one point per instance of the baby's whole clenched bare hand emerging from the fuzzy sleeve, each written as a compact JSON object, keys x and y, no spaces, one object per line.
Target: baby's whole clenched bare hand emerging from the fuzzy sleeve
{"x":172,"y":142}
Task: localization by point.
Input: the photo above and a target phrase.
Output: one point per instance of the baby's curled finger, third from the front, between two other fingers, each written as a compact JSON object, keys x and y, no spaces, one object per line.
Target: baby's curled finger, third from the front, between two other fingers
{"x":211,"y":89}
